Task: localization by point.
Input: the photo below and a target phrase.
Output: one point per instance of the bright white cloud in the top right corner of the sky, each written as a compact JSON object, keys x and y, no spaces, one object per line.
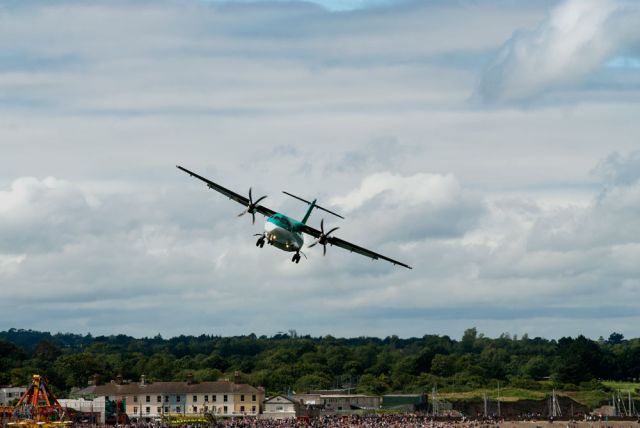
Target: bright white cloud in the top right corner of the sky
{"x":577,"y":38}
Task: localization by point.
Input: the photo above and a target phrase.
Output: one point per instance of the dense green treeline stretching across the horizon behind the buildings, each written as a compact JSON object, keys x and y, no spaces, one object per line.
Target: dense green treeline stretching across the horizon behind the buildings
{"x":286,"y":362}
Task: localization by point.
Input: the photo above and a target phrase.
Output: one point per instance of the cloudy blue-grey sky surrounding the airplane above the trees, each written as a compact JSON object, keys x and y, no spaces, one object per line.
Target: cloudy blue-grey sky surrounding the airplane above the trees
{"x":493,"y":145}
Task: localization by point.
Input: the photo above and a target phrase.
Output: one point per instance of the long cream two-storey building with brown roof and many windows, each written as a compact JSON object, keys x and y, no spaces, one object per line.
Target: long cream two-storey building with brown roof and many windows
{"x":151,"y":400}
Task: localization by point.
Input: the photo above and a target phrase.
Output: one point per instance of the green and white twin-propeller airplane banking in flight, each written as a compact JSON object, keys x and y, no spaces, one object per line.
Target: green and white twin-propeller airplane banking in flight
{"x":284,"y":232}
